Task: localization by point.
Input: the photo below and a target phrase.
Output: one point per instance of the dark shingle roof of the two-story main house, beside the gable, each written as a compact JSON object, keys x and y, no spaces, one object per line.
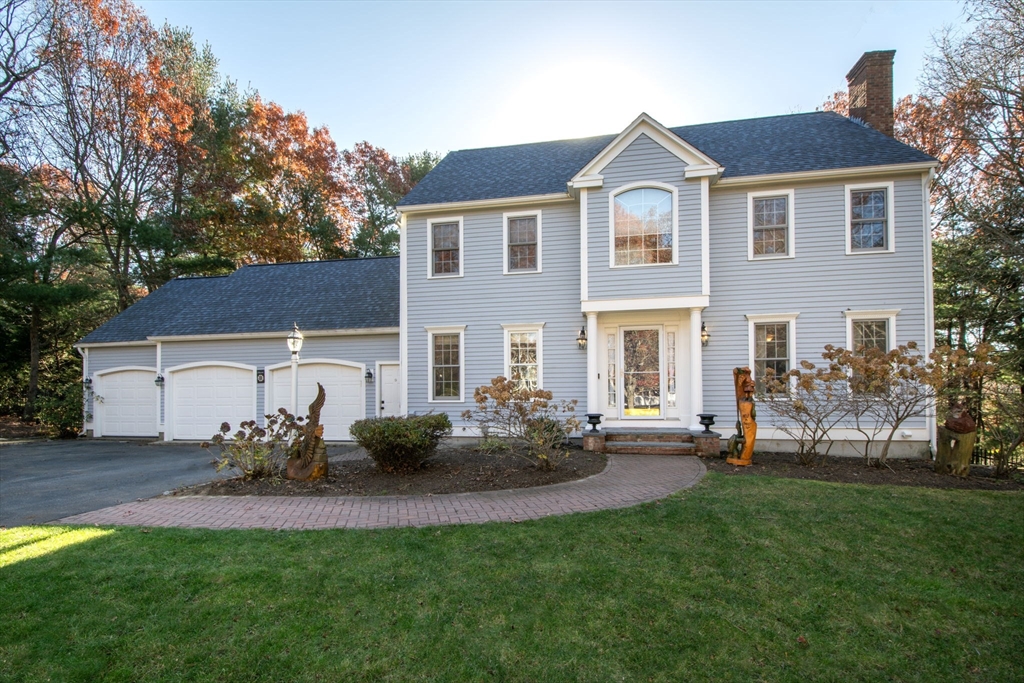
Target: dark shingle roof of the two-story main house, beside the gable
{"x":815,"y":142}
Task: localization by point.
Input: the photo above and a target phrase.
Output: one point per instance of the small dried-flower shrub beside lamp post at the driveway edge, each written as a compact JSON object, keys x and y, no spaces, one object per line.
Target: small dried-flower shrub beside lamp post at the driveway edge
{"x":259,"y":452}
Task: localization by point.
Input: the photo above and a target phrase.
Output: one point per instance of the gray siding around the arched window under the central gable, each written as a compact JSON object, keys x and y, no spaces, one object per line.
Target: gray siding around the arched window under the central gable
{"x":645,"y":160}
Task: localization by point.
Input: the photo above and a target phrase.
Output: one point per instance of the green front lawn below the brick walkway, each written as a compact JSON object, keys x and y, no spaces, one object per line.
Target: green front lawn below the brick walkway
{"x":741,"y":579}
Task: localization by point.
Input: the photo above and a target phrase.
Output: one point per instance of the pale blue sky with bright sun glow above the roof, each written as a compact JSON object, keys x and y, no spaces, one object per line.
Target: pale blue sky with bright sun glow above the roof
{"x":444,"y":76}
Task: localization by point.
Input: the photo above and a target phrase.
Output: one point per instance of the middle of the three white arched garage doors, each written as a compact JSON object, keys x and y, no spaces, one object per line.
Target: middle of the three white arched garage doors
{"x":206,"y":397}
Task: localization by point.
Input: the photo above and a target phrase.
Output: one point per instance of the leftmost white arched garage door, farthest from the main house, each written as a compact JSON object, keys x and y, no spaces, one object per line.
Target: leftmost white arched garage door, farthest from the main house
{"x":129,"y":405}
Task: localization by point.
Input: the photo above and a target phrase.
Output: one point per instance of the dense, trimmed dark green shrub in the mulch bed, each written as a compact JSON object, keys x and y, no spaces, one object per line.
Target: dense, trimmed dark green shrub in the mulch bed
{"x":402,"y":445}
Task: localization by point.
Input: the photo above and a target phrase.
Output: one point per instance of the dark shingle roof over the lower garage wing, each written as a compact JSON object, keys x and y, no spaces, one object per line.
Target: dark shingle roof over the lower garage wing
{"x":318,"y":295}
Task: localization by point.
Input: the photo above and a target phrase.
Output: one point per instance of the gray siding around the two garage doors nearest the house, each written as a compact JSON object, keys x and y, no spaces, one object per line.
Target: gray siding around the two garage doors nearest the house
{"x":263,"y":353}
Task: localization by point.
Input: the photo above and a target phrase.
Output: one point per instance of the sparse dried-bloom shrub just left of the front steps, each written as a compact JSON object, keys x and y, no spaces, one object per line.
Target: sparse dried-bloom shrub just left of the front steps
{"x":526,"y":418}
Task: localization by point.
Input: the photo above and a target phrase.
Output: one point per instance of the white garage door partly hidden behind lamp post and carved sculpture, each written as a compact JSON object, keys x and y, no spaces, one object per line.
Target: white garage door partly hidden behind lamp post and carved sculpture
{"x":344,"y":387}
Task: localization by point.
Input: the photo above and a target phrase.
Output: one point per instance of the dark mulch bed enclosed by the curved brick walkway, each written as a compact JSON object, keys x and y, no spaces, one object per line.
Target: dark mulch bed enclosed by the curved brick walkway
{"x":453,"y":471}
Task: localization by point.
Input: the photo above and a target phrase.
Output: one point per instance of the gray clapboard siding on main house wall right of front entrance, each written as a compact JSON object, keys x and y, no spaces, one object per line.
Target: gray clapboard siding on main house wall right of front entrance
{"x":820,"y":284}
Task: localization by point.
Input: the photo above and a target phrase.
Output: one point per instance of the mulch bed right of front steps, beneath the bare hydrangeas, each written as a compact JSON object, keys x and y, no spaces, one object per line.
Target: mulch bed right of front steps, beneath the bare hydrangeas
{"x":901,"y":473}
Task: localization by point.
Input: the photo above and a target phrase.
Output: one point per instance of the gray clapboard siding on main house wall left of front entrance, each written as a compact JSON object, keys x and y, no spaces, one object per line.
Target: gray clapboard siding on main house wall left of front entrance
{"x":485,"y":300}
